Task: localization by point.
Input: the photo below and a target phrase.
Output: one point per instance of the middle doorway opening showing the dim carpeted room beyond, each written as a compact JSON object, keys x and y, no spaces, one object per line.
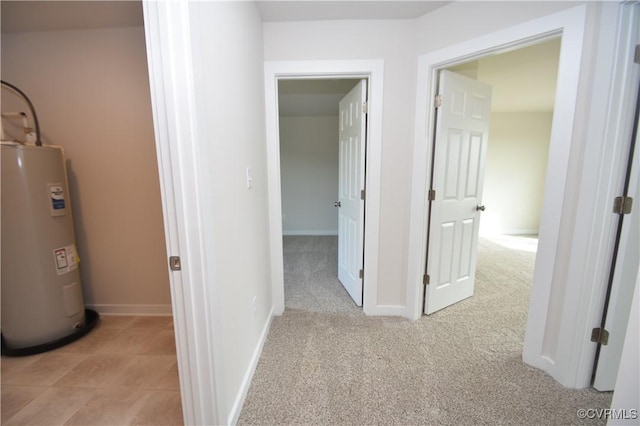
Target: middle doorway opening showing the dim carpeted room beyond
{"x":309,"y":128}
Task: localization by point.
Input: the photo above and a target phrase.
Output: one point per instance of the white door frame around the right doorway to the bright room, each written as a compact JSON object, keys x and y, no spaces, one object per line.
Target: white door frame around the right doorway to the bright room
{"x":569,"y":25}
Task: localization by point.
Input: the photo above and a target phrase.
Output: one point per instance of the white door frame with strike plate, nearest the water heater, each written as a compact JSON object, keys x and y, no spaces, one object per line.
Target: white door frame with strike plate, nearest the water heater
{"x":193,"y":299}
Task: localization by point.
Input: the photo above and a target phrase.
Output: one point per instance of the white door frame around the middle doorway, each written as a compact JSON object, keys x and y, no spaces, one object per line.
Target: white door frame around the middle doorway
{"x":373,"y":70}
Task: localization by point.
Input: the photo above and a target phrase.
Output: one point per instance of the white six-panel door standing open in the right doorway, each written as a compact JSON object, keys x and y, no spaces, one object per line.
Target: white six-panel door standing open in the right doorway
{"x":460,"y":147}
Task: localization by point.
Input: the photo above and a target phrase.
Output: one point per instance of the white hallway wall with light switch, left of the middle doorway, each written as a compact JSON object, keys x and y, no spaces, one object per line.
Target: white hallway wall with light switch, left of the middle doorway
{"x":228,"y":77}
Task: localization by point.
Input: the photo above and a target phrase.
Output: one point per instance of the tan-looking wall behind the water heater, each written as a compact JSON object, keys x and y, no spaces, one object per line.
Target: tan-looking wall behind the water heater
{"x":90,"y":89}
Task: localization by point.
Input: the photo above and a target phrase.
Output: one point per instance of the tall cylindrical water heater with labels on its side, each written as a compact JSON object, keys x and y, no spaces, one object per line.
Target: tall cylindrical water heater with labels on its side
{"x":42,"y":302}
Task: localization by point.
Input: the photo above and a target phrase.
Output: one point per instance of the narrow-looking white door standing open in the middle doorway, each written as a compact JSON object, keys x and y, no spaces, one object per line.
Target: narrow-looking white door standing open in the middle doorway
{"x":352,"y":135}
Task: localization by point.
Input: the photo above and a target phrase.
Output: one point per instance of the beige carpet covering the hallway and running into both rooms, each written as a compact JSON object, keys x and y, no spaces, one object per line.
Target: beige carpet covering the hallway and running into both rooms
{"x":460,"y":366}
